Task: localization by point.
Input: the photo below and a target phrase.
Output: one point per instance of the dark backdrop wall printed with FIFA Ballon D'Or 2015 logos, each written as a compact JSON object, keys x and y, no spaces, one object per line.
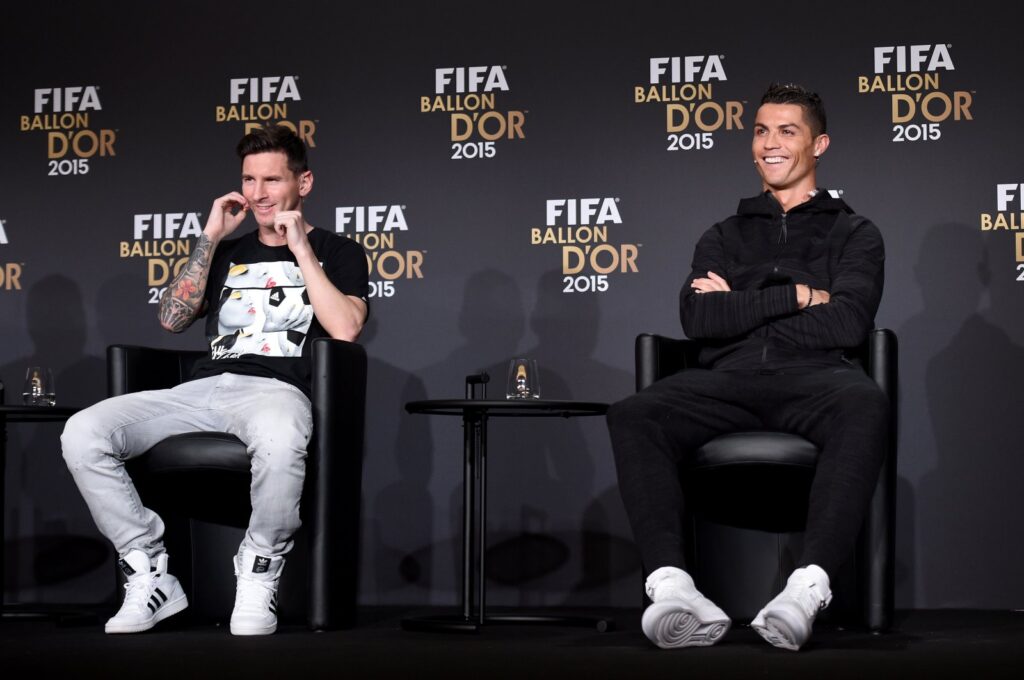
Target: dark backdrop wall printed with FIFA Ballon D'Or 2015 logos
{"x":137,"y":141}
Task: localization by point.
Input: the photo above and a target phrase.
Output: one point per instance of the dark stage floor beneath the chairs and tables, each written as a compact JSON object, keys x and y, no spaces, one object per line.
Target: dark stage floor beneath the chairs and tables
{"x":968,"y":645}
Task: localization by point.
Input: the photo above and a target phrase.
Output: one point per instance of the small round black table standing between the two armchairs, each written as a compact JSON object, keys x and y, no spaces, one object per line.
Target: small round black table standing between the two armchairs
{"x":475,"y":415}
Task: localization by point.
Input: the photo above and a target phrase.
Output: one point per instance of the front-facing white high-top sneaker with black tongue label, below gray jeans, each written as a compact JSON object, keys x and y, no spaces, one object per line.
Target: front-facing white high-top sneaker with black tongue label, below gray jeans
{"x":255,"y":610}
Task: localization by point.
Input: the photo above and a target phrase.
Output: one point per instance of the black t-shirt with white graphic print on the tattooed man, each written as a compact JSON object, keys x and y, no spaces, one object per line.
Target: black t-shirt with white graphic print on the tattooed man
{"x":261,"y":322}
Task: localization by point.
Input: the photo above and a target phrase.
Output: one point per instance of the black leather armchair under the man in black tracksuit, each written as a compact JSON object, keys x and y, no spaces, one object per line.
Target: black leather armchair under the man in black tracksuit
{"x":742,"y":539}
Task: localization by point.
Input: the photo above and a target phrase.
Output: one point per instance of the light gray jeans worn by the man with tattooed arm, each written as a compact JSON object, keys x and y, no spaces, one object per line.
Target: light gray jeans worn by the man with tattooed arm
{"x":271,"y":417}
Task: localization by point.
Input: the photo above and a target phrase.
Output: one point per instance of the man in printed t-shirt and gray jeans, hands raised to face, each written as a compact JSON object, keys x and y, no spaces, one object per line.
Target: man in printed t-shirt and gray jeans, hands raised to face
{"x":267,"y":295}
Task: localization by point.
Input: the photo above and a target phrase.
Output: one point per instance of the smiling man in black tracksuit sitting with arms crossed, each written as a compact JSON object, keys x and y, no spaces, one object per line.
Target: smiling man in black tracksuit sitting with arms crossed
{"x":777,"y":293}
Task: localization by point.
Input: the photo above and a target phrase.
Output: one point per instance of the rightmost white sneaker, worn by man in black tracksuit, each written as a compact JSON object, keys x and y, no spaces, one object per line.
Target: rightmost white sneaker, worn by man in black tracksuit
{"x":787,"y":621}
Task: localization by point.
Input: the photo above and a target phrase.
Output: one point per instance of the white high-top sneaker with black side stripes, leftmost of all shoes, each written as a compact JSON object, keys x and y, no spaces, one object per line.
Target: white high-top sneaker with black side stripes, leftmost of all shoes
{"x":151,"y":594}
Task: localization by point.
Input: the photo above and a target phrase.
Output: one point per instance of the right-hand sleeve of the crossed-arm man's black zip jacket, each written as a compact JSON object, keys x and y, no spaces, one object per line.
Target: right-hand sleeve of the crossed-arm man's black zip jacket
{"x":858,"y":280}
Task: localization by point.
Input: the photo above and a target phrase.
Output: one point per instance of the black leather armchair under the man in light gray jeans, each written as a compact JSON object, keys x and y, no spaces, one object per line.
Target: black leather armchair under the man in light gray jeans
{"x":202,"y":480}
